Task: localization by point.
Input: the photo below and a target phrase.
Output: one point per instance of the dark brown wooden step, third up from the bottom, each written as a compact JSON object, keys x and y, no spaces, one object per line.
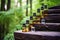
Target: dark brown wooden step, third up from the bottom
{"x":53,"y":19}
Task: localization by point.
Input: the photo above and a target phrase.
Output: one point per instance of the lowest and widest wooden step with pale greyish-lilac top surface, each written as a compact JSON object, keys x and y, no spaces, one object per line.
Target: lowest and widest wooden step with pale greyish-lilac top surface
{"x":38,"y":35}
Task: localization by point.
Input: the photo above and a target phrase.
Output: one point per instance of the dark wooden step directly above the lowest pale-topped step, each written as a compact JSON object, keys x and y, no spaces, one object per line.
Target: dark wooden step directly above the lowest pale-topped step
{"x":47,"y":27}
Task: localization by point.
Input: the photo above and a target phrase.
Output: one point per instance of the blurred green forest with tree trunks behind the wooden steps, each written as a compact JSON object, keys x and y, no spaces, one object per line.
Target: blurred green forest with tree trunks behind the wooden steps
{"x":14,"y":14}
